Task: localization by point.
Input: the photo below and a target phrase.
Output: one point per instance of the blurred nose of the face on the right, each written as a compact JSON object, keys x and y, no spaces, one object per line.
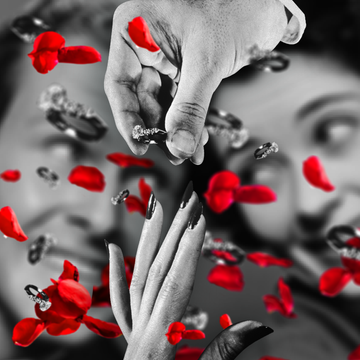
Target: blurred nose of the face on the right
{"x":314,"y":207}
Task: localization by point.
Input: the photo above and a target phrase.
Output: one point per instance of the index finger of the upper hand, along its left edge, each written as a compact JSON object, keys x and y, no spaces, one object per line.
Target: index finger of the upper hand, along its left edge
{"x":123,"y":73}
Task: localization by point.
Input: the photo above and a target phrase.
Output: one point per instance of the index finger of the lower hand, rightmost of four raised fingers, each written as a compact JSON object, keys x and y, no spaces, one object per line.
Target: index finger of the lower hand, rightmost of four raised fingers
{"x":177,"y":287}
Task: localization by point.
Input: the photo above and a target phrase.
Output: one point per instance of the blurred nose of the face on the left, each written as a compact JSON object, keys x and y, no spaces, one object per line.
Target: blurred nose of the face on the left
{"x":93,"y":211}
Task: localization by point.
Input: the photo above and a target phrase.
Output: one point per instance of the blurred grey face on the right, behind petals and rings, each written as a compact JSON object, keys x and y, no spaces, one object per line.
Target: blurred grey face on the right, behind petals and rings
{"x":313,"y":108}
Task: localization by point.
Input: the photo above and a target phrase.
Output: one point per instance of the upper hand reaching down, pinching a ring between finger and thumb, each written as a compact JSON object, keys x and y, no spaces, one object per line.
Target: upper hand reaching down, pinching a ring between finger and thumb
{"x":201,"y":42}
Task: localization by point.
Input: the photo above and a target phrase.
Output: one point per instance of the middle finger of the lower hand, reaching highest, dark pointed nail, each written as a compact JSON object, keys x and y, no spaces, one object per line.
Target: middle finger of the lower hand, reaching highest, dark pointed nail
{"x":163,"y":261}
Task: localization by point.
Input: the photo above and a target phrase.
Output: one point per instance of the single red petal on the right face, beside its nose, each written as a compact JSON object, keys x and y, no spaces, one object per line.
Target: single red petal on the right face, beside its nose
{"x":315,"y":174}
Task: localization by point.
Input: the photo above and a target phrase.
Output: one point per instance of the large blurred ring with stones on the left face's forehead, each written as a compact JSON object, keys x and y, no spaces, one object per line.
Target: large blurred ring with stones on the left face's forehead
{"x":54,"y":102}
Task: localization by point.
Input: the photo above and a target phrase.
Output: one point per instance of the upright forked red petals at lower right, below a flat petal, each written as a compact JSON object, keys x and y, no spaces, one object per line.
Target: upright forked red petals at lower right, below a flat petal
{"x":285,"y":305}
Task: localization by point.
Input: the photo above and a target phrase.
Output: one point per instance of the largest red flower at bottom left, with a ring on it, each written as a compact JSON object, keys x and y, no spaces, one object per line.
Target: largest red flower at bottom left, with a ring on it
{"x":70,"y":302}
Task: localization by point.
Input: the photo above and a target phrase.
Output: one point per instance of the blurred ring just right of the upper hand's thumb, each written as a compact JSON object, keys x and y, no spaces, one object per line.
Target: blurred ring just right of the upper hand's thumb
{"x":231,"y":127}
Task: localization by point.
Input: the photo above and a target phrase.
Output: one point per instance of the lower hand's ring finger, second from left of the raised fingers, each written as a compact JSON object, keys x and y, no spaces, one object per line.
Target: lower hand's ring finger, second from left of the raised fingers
{"x":145,"y":255}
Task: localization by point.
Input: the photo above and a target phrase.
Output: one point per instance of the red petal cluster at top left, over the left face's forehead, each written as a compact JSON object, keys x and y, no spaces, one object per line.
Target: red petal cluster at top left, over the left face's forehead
{"x":49,"y":49}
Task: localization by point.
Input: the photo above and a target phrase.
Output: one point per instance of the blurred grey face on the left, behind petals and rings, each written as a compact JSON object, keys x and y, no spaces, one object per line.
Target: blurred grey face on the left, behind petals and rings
{"x":79,"y":219}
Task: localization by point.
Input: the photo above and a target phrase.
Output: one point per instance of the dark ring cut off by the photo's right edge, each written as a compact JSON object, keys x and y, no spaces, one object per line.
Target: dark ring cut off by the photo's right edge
{"x":334,"y":241}
